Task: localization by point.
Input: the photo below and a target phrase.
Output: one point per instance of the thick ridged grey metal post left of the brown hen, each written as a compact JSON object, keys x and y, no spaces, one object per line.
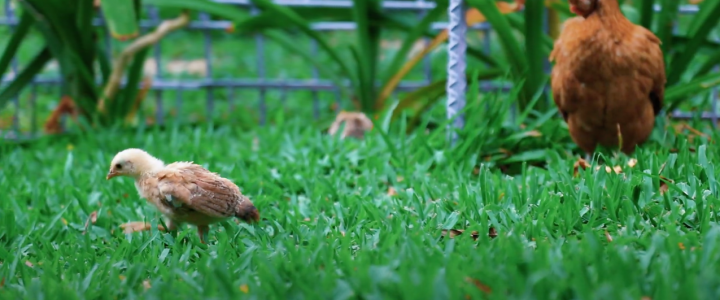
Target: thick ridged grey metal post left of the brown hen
{"x":456,"y":83}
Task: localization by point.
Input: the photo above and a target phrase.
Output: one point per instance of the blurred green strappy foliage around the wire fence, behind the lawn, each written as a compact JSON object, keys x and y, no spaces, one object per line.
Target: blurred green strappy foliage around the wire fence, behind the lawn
{"x":367,"y":64}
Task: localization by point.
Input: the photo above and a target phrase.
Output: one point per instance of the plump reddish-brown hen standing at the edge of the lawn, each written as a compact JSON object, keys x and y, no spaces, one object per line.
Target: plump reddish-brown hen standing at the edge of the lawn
{"x":609,"y":73}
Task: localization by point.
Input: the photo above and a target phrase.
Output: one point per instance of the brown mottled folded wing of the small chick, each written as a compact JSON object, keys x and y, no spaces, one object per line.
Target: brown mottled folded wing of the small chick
{"x":199,"y":189}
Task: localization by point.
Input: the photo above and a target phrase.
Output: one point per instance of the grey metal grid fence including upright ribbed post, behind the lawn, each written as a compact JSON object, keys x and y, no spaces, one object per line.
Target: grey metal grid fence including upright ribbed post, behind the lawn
{"x":456,"y":63}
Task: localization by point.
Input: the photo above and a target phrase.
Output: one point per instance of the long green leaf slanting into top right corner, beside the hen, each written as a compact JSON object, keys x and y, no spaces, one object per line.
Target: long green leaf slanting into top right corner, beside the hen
{"x":703,"y":22}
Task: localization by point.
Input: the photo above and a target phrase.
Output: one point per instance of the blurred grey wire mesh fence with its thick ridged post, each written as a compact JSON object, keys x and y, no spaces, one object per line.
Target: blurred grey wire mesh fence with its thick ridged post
{"x":163,"y":86}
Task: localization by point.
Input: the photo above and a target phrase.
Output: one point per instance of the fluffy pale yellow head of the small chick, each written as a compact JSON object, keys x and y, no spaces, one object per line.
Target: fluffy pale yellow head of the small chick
{"x":133,"y":163}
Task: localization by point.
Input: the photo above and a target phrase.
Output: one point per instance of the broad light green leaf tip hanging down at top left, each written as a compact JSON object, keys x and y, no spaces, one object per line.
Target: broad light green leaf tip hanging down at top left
{"x":121,"y":19}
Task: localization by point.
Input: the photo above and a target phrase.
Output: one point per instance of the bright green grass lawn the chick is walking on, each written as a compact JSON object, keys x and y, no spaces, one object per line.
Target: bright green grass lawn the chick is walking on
{"x":349,"y":219}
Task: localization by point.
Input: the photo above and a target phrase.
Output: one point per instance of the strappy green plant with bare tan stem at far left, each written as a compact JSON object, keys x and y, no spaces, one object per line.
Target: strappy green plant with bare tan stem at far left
{"x":76,"y":47}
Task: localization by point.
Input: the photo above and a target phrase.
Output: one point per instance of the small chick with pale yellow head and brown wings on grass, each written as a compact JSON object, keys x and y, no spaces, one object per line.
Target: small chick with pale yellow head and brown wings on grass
{"x":183,"y":191}
